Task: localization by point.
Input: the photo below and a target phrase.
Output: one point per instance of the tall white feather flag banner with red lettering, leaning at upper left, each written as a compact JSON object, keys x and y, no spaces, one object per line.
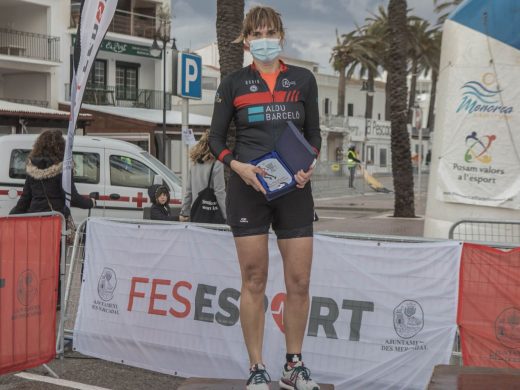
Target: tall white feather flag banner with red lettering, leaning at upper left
{"x":95,"y":17}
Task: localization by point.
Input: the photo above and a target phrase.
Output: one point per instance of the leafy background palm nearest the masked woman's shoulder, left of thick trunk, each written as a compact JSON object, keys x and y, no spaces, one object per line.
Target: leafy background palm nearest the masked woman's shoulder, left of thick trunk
{"x":352,"y":49}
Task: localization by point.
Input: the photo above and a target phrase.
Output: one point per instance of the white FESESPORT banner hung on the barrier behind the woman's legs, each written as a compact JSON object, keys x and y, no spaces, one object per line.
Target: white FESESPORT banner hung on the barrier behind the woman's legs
{"x":165,"y":298}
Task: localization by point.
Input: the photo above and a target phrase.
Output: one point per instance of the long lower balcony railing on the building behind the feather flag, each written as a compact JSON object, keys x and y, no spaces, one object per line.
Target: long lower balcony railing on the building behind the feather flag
{"x":123,"y":97}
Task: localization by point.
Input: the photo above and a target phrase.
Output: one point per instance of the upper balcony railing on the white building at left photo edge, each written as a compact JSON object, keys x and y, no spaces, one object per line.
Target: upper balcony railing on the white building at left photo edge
{"x":29,"y":45}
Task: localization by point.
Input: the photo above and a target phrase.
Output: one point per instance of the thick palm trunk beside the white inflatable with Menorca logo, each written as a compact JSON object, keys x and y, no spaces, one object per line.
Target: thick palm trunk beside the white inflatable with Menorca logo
{"x":400,"y":140}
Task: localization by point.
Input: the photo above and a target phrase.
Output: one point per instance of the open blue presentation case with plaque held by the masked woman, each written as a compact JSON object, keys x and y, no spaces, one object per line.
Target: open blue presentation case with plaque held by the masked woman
{"x":292,"y":153}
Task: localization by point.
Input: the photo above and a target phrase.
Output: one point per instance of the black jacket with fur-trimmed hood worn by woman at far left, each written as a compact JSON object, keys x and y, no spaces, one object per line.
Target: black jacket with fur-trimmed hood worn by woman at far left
{"x":43,"y":186}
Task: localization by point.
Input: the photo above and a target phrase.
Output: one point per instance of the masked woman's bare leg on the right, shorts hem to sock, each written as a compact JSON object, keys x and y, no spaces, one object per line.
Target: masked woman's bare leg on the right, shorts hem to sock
{"x":297,"y":261}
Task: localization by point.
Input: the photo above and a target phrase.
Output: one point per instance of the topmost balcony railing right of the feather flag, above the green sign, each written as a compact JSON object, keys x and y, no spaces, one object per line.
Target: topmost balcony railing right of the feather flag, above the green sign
{"x":124,"y":22}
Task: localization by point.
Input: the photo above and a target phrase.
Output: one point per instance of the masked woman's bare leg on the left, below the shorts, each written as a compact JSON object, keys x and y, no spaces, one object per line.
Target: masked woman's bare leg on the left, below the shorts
{"x":253,"y":257}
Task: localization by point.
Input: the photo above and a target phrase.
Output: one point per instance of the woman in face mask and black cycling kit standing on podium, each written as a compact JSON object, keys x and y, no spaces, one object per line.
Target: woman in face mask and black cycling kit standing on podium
{"x":261,"y":98}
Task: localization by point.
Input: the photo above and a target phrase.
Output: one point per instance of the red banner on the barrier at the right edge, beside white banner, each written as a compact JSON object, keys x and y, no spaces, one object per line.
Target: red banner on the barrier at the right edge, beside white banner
{"x":489,"y":306}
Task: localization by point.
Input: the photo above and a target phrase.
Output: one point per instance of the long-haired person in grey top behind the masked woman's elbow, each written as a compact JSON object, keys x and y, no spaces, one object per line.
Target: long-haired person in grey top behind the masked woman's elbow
{"x":198,"y":176}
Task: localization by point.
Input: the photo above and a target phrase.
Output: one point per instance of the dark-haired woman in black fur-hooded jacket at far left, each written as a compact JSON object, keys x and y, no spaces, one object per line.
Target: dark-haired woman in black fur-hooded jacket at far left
{"x":43,"y":190}
